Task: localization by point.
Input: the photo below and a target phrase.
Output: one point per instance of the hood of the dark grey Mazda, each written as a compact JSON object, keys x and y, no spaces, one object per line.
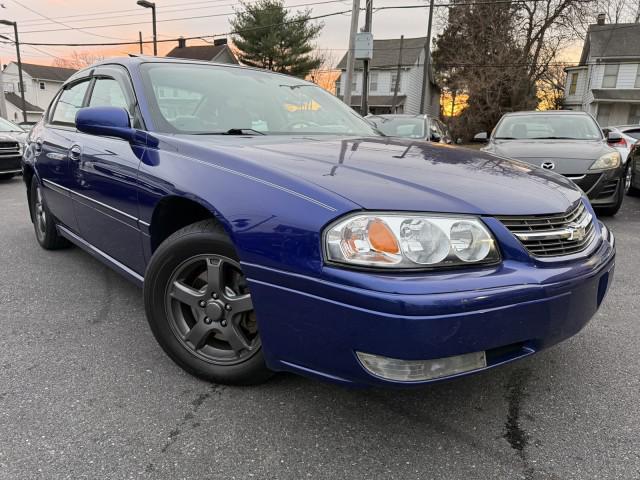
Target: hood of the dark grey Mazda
{"x":567,"y":156}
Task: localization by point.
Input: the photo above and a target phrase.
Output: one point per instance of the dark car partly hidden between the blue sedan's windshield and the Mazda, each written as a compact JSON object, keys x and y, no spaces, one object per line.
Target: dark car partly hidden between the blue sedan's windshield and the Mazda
{"x":417,"y":127}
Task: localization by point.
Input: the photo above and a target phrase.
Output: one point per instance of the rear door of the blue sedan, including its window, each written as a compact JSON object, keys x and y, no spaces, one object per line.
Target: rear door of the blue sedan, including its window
{"x":52,"y":149}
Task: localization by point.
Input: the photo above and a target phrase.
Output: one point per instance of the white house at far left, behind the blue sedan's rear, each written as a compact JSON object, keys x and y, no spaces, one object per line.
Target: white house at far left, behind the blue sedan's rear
{"x":41,"y":83}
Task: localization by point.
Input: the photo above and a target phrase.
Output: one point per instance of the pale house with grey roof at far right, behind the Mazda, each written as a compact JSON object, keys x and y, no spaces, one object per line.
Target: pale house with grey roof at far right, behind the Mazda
{"x":606,"y":83}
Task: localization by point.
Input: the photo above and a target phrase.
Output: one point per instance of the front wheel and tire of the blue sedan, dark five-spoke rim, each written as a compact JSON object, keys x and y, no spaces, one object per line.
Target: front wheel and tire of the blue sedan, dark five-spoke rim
{"x":191,"y":282}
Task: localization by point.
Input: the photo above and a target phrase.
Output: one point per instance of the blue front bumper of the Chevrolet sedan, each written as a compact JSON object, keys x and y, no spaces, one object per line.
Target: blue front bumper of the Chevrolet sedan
{"x":314,"y":326}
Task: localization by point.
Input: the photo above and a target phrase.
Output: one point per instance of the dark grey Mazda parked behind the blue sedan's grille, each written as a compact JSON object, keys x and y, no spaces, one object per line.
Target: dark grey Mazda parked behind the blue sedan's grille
{"x":569,"y":143}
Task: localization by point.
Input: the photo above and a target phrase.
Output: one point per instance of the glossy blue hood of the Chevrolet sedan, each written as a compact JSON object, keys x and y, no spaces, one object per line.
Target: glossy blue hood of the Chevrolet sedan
{"x":382,"y":173}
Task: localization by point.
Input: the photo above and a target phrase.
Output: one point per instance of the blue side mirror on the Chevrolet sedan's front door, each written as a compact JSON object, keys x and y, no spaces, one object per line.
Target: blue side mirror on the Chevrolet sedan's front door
{"x":105,"y":121}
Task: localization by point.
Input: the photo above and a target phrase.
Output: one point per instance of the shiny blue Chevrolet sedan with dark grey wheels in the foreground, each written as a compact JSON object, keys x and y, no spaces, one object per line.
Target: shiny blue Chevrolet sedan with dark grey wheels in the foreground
{"x":269,"y":236}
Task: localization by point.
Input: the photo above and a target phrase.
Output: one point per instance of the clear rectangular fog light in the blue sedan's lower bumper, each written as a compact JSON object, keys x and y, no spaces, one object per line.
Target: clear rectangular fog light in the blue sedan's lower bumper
{"x":419,"y":370}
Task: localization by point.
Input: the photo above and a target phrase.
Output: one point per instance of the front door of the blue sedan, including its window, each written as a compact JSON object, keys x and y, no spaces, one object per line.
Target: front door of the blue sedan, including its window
{"x":106,"y":171}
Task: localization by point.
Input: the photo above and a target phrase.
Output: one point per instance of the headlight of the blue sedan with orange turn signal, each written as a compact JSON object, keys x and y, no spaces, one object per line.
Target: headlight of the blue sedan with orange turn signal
{"x":409,"y":241}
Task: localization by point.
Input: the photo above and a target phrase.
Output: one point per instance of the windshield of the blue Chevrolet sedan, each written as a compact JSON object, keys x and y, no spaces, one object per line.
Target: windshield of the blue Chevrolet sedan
{"x":202,"y":99}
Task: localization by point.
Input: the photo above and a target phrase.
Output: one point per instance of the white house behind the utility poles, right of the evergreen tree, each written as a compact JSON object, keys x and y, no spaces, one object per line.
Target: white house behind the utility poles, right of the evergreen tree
{"x":382,"y":78}
